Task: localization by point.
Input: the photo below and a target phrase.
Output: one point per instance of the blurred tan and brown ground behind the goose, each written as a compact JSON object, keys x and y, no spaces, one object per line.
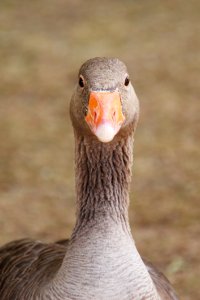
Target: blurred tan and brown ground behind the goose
{"x":42,"y":45}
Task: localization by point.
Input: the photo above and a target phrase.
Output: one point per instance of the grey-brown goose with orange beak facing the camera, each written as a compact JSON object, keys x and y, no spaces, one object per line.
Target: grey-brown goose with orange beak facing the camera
{"x":100,"y":260}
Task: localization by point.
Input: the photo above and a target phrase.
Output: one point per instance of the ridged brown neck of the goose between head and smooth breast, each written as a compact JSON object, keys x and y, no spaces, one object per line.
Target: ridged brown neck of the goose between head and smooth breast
{"x":103,"y":173}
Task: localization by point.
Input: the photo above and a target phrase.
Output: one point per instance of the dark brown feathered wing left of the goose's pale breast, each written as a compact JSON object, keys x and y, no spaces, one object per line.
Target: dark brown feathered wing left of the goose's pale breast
{"x":25,"y":265}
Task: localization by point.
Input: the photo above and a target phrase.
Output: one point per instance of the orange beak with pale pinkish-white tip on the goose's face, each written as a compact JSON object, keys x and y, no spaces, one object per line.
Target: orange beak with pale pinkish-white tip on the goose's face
{"x":105,"y":115}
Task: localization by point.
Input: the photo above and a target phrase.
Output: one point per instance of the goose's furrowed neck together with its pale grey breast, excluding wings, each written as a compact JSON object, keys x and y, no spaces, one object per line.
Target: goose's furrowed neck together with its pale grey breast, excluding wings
{"x":101,"y":260}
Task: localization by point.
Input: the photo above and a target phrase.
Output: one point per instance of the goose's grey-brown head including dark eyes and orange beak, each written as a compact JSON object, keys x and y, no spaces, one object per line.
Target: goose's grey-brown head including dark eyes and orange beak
{"x":104,"y":105}
